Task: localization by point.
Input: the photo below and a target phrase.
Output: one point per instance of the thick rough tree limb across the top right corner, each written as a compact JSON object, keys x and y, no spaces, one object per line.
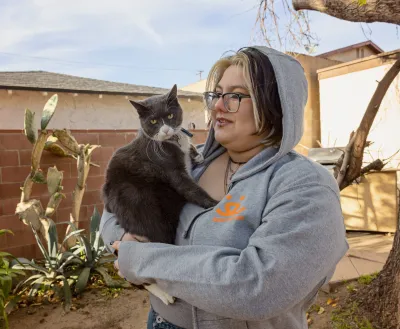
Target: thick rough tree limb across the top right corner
{"x":367,"y":11}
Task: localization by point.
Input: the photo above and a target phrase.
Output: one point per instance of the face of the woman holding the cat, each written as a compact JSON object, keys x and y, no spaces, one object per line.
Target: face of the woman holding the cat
{"x":235,"y":131}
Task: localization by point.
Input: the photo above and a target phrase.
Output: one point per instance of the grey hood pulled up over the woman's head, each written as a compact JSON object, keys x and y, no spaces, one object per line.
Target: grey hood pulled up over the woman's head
{"x":293,"y":93}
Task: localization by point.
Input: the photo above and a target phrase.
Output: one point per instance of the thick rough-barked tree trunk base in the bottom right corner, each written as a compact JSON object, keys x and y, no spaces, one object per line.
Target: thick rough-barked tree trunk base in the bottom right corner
{"x":381,"y":298}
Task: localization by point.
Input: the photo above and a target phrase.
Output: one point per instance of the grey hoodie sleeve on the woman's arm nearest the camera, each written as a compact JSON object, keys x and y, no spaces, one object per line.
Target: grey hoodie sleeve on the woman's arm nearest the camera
{"x":296,"y":247}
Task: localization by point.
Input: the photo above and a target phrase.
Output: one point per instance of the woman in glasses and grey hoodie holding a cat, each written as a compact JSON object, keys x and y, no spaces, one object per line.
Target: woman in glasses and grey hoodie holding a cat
{"x":258,"y":259}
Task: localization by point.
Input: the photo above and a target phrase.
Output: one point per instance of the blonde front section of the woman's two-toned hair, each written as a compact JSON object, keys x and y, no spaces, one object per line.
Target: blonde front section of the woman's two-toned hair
{"x":242,"y":60}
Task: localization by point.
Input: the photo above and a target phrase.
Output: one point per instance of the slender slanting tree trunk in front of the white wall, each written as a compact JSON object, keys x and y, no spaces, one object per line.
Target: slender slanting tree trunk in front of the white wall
{"x":353,"y":170}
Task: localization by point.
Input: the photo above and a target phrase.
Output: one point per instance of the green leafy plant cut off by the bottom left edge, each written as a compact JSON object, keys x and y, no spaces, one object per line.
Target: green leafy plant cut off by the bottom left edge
{"x":6,"y":276}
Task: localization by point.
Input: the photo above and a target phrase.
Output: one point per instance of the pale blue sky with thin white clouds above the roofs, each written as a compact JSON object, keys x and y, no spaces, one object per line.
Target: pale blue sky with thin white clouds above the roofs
{"x":155,"y":43}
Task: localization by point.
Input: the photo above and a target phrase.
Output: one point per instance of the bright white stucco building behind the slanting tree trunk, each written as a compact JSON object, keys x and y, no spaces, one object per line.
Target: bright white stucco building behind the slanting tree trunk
{"x":345,"y":92}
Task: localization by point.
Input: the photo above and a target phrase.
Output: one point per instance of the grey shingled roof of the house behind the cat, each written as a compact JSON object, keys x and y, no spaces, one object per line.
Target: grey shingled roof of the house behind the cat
{"x":49,"y":81}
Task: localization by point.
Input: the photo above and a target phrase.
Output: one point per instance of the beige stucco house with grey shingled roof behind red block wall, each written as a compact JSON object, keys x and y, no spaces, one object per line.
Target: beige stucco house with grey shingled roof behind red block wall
{"x":83,"y":103}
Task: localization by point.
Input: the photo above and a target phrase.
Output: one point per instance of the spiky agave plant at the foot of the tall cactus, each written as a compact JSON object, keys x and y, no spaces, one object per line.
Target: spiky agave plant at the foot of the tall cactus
{"x":67,"y":271}
